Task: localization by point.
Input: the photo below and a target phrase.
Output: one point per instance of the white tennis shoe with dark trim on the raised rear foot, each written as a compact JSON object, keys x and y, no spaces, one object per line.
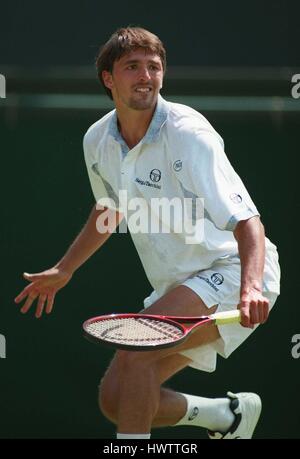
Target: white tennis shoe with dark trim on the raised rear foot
{"x":246,"y":408}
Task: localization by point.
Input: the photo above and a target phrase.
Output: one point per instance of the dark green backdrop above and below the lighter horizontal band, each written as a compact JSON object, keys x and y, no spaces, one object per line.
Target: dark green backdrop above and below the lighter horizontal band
{"x":48,"y":383}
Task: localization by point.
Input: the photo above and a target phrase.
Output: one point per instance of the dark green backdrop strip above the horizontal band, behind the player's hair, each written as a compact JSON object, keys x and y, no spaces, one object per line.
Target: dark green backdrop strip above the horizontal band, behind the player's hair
{"x":196,"y":32}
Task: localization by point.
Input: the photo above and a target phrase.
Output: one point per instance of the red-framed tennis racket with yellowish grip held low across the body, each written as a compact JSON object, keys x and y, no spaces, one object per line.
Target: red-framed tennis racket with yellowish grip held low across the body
{"x":145,"y":332}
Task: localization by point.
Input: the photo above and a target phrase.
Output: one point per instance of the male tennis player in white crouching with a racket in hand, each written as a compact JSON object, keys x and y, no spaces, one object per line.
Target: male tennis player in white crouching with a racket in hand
{"x":152,"y":148}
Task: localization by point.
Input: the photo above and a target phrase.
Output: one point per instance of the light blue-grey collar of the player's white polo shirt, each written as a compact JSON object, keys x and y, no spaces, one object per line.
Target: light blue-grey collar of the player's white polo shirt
{"x":159,"y":118}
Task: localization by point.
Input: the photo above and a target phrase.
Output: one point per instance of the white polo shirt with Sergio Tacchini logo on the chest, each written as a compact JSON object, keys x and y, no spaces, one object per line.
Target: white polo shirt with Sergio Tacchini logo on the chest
{"x":181,"y":156}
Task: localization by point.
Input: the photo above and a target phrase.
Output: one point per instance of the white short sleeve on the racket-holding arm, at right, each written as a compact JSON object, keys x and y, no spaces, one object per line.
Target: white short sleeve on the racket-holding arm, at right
{"x":208,"y":174}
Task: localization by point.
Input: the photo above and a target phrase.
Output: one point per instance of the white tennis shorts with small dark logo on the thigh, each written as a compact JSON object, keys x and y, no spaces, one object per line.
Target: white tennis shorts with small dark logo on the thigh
{"x":220,"y":285}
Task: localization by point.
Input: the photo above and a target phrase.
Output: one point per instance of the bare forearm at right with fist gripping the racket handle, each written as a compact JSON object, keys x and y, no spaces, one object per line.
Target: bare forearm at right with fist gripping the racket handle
{"x":250,"y":236}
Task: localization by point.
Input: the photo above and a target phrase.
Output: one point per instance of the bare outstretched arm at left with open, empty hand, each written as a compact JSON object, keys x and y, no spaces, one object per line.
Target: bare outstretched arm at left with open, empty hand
{"x":44,"y":285}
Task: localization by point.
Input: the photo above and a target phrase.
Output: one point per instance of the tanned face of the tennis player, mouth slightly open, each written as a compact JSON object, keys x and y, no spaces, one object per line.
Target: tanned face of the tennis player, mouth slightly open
{"x":135,"y":80}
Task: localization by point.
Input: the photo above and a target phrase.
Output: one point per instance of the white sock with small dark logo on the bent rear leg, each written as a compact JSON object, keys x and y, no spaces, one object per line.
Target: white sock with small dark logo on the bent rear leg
{"x":212,"y":413}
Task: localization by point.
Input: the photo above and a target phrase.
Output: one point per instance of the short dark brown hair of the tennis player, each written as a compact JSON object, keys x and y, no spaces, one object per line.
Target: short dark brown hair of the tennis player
{"x":123,"y":41}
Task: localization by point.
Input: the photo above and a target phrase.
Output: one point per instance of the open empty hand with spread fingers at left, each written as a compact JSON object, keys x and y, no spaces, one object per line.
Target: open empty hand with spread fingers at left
{"x":43,"y":288}
